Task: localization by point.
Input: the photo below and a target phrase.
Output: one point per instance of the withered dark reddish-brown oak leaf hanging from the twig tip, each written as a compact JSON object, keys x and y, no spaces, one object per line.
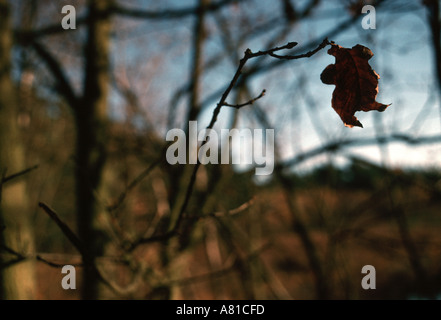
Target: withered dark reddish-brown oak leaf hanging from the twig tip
{"x":356,"y":83}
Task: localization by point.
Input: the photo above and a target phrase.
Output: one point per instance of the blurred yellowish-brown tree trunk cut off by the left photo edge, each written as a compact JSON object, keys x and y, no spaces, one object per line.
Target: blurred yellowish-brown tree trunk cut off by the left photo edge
{"x":17,"y":281}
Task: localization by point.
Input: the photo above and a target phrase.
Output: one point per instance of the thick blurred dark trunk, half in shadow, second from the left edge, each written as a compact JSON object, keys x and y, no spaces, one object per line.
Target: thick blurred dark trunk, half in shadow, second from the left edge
{"x":91,"y":124}
